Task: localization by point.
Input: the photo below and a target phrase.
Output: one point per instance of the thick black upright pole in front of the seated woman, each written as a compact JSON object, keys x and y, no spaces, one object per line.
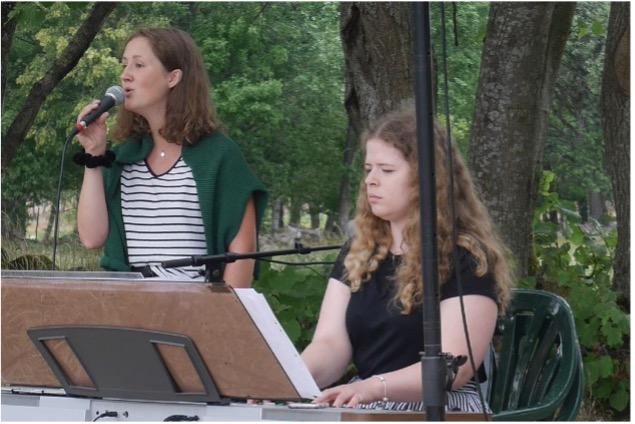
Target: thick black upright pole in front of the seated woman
{"x":434,"y":369}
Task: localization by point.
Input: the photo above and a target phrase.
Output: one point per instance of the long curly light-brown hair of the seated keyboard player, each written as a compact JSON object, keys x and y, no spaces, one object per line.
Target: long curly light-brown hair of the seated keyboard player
{"x":475,"y":230}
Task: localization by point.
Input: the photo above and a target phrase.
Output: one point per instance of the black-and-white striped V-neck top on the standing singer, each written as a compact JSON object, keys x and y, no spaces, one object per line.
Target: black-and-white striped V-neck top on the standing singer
{"x":161,"y":215}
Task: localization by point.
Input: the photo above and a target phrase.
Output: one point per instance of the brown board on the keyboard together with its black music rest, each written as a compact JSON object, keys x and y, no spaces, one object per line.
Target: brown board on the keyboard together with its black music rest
{"x":100,"y":335}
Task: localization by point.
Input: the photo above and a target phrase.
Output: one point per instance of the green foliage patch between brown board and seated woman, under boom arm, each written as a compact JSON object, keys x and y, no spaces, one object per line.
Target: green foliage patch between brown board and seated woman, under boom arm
{"x":295,"y":295}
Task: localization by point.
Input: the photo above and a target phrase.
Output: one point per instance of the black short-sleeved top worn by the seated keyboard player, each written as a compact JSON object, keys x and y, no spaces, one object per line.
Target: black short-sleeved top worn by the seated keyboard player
{"x":382,"y":338}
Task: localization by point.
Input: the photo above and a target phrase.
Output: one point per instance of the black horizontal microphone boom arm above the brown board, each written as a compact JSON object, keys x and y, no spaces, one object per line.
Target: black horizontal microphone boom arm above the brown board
{"x":214,"y":263}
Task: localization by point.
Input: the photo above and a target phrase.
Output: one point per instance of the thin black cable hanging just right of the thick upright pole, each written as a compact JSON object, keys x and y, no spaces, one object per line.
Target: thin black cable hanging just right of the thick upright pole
{"x":455,"y":255}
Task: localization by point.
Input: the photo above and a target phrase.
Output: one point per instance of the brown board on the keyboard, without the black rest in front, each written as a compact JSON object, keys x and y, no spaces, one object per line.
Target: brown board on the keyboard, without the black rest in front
{"x":233,"y":350}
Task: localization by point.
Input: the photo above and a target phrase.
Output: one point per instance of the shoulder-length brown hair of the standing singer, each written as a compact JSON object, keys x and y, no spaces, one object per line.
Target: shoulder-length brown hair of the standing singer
{"x":190,"y":112}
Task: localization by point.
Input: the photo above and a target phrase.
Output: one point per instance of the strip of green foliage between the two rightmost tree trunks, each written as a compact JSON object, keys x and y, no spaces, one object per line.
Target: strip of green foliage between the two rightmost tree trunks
{"x":574,"y":144}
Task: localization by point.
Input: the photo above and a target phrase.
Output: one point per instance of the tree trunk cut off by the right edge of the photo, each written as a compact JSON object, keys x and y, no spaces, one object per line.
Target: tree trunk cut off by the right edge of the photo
{"x":616,"y":105}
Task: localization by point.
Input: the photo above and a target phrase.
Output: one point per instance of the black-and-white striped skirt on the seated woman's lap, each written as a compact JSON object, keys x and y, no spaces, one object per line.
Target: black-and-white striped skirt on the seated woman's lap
{"x":466,"y":399}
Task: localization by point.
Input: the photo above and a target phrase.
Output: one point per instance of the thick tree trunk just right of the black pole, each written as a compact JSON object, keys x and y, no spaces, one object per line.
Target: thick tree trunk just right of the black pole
{"x":521,"y":55}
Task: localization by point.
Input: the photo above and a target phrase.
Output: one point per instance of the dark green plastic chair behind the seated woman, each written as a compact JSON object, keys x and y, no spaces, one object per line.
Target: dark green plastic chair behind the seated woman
{"x":537,"y":372}
